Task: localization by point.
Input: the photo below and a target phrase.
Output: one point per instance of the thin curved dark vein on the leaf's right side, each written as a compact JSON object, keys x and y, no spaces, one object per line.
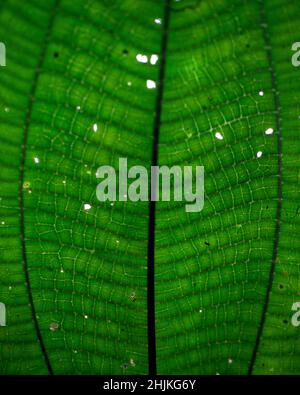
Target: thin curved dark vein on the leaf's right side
{"x":279,"y":186}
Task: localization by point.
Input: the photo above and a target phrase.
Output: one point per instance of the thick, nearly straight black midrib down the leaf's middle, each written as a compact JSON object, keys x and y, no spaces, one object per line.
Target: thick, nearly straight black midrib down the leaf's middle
{"x":151,"y":241}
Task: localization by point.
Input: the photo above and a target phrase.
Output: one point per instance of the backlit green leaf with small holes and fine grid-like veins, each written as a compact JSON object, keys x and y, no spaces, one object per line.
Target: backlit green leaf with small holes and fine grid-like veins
{"x":78,"y":277}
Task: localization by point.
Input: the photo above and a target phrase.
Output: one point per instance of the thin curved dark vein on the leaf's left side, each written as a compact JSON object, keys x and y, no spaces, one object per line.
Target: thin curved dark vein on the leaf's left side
{"x":22,"y":174}
